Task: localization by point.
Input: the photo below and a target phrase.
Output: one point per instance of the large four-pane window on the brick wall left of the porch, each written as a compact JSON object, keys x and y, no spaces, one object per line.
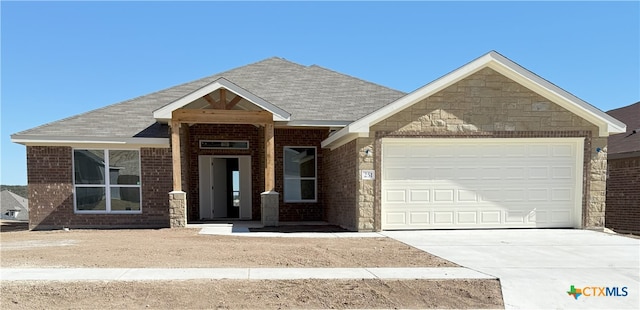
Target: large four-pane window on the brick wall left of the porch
{"x":106,"y":181}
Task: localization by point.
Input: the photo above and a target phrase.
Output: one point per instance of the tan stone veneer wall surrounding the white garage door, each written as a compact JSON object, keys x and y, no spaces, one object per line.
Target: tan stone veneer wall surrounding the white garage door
{"x":485,"y":104}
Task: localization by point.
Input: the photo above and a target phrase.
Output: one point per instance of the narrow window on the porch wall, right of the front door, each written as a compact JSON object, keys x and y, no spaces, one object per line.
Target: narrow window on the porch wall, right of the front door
{"x":300,"y":174}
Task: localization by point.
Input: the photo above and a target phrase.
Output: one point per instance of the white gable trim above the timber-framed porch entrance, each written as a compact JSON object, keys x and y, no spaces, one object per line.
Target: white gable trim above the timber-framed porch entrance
{"x":164,"y":114}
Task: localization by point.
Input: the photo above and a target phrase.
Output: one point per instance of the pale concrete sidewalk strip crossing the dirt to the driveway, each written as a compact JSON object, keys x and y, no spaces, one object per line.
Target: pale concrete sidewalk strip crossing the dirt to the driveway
{"x":163,"y":274}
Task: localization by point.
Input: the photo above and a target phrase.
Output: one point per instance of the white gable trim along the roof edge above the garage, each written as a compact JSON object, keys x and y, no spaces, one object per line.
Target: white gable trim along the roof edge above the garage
{"x":508,"y":68}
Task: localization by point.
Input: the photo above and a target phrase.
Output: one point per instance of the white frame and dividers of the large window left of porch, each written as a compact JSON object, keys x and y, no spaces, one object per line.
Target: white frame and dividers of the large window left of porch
{"x":107,"y":183}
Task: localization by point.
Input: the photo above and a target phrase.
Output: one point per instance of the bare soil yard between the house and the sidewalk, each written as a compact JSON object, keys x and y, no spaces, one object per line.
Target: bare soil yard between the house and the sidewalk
{"x":175,"y":248}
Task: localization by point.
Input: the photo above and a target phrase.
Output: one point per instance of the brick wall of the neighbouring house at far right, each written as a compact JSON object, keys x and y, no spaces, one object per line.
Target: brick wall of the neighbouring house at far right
{"x":623,"y":195}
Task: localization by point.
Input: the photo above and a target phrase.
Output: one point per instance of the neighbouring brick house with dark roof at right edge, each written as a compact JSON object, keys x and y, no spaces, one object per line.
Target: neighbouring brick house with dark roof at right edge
{"x":623,"y":177}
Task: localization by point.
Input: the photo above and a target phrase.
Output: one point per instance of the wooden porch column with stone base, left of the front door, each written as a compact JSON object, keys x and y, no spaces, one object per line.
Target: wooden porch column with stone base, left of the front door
{"x":177,"y":198}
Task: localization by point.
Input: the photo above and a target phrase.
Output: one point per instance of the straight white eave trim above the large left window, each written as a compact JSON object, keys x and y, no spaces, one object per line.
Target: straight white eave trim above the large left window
{"x":83,"y":142}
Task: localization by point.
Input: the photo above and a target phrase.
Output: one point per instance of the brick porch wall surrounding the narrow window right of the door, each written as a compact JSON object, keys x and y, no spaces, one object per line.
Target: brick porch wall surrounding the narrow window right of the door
{"x":299,"y":211}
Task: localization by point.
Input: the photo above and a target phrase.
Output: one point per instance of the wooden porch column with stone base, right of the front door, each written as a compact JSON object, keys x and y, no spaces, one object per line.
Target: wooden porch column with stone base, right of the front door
{"x":270,"y":198}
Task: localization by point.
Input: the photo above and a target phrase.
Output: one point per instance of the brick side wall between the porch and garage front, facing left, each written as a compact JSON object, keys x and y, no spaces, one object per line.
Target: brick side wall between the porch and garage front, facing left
{"x":340,"y":174}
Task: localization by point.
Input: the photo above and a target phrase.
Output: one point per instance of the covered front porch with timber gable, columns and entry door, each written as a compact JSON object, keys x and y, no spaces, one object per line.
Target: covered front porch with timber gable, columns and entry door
{"x":227,"y":166}
